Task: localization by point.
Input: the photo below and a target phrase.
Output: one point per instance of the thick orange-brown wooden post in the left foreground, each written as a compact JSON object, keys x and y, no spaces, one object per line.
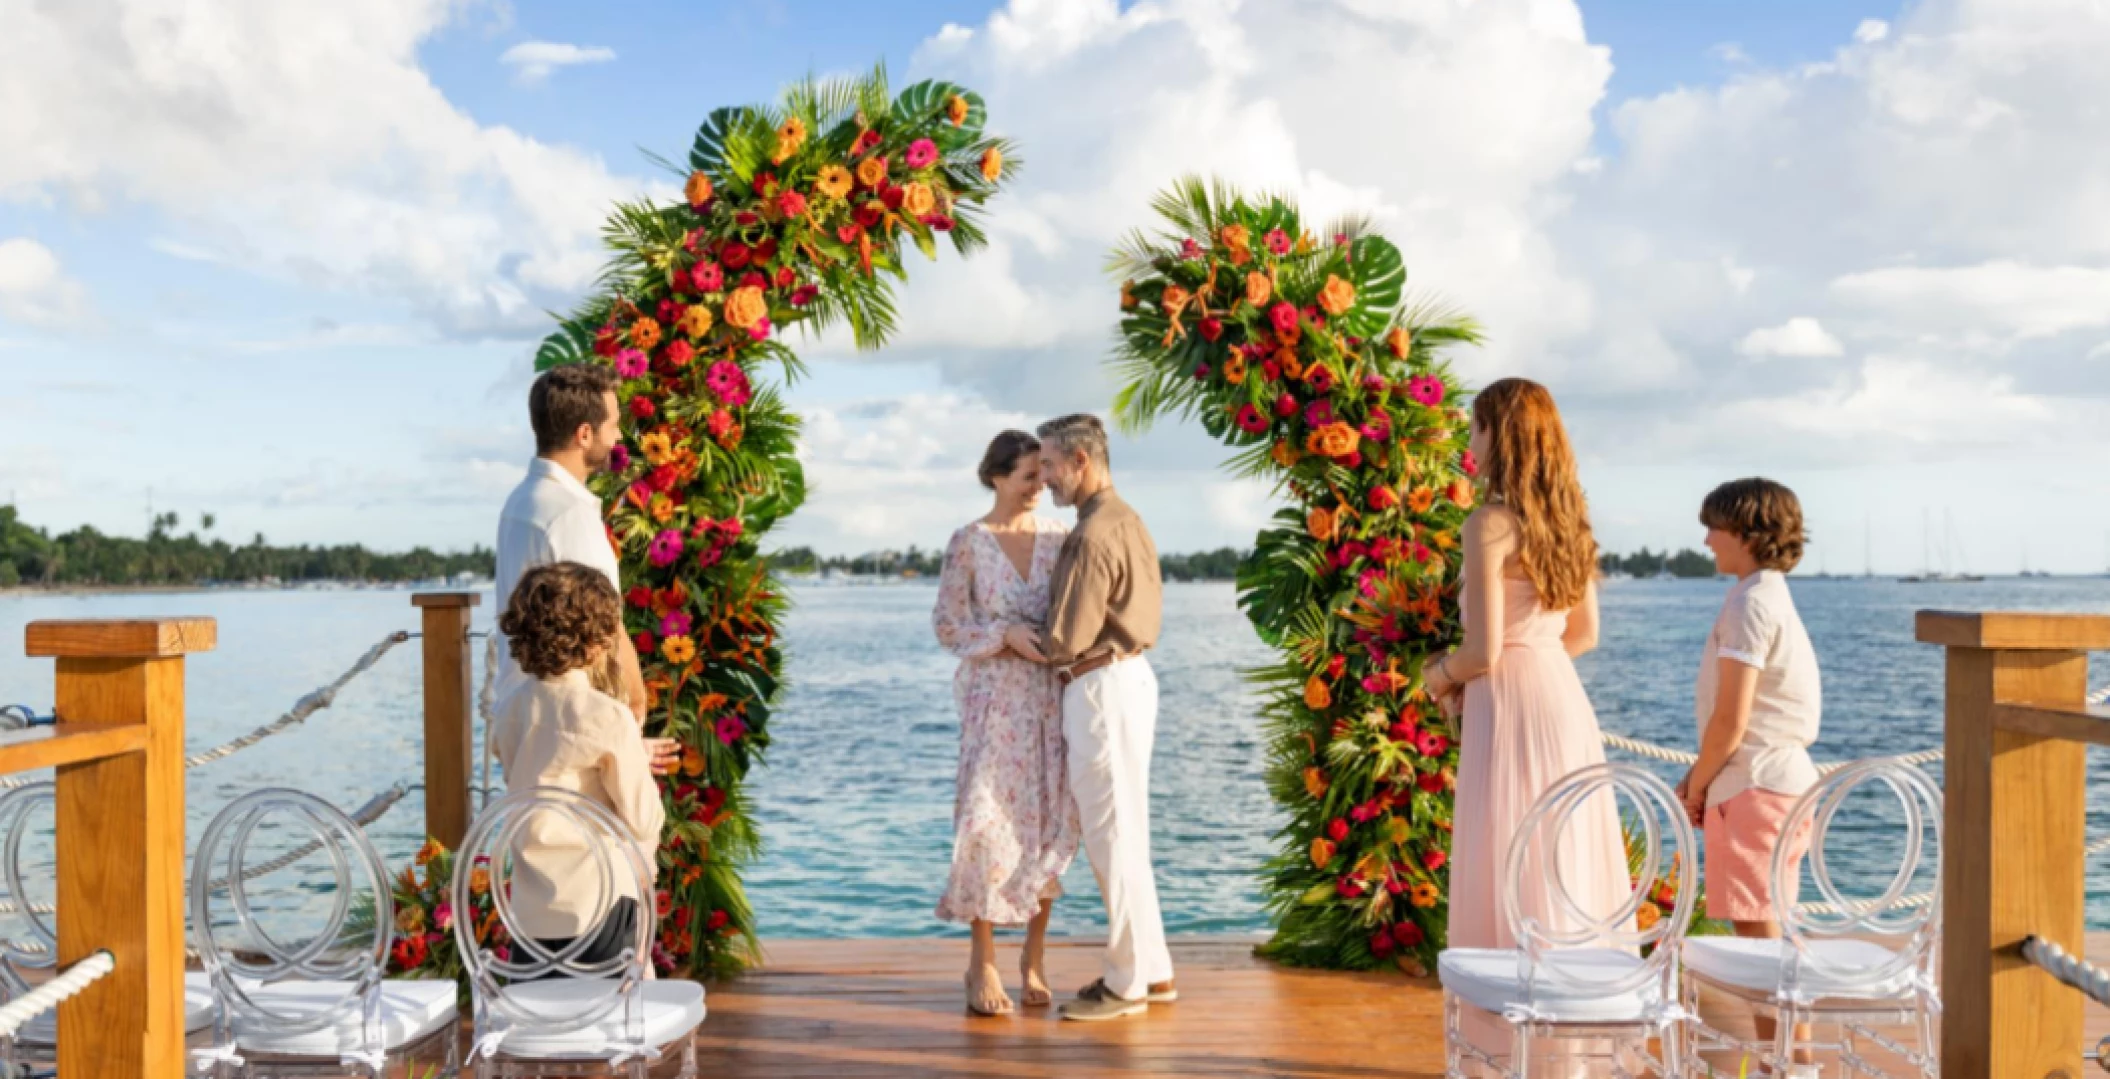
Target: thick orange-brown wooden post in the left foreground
{"x":121,"y":841}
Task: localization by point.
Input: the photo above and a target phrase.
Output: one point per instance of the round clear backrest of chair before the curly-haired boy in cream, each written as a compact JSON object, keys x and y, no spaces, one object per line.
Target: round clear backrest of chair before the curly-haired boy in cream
{"x":495,"y":934}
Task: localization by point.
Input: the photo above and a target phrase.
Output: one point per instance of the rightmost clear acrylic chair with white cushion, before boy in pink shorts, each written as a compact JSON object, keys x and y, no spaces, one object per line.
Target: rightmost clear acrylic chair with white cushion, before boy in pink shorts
{"x":1849,"y":962}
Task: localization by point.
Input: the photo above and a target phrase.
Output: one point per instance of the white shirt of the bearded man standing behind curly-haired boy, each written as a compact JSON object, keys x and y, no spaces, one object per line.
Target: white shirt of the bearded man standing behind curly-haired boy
{"x":550,"y":518}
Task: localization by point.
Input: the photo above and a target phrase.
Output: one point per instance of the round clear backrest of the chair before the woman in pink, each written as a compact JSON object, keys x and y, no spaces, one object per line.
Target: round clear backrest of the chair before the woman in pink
{"x":1548,"y":915}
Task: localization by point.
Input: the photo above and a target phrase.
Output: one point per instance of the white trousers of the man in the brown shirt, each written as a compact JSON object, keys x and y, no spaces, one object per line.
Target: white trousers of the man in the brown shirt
{"x":1111,"y":719}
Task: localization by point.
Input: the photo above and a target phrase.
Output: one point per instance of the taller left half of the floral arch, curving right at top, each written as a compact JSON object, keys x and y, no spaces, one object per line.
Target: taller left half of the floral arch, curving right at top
{"x":794,"y":214}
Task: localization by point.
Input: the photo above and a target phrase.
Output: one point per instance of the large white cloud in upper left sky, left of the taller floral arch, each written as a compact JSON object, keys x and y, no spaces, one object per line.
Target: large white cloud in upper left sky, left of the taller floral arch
{"x":305,"y":143}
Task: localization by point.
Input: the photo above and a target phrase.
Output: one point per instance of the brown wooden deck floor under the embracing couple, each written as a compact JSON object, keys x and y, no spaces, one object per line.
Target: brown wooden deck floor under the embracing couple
{"x":894,"y":1008}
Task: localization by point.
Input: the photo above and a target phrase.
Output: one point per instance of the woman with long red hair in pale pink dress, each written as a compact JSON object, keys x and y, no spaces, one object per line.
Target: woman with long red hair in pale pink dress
{"x":1531,"y":607}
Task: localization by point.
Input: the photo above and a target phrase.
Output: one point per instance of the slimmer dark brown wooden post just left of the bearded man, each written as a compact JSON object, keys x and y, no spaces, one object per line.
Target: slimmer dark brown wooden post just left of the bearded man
{"x":448,"y":711}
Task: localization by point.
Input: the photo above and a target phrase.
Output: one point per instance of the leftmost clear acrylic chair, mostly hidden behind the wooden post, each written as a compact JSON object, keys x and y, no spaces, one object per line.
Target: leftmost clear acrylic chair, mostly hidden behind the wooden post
{"x":31,"y":939}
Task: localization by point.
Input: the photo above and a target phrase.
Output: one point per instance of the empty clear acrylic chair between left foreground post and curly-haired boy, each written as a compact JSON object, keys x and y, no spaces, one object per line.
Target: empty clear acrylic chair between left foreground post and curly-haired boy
{"x":318,"y":1004}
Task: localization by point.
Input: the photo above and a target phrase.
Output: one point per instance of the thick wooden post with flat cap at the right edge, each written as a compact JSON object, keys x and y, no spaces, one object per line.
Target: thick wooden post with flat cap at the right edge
{"x":2012,"y":839}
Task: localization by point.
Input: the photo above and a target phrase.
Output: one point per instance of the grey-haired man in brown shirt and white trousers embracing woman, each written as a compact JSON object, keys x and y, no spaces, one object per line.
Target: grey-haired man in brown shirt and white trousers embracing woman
{"x":1102,"y":618}
